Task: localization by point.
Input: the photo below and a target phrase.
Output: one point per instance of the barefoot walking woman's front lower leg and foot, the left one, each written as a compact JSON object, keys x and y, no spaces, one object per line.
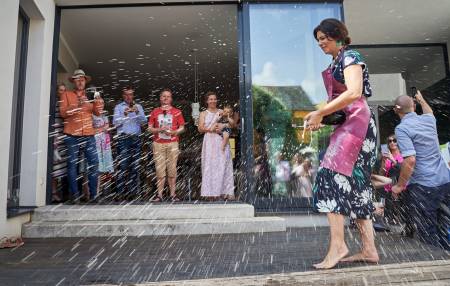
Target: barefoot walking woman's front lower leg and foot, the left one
{"x":337,"y":249}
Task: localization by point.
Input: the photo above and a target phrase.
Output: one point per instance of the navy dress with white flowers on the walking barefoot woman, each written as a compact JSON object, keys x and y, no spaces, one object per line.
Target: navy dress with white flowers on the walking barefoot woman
{"x":348,"y":193}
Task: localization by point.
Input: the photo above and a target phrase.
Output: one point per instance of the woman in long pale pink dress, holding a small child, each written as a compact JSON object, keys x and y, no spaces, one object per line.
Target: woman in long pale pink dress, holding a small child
{"x":217,"y":165}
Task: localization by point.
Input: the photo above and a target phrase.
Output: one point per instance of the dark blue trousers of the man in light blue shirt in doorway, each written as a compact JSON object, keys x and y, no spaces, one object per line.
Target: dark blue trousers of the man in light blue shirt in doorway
{"x":129,"y":151}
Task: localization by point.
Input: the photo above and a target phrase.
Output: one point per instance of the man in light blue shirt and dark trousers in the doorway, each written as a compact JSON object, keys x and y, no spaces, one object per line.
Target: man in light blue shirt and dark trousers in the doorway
{"x":128,"y":119}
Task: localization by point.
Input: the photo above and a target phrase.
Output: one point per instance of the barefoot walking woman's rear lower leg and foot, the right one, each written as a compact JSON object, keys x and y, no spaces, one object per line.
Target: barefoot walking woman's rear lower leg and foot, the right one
{"x":369,"y":251}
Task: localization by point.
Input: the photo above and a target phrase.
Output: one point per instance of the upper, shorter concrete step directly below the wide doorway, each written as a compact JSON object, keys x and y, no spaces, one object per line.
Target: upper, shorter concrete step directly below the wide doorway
{"x":141,"y":212}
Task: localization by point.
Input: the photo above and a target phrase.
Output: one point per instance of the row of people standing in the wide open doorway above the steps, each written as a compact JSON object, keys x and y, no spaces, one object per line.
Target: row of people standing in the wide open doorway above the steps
{"x":88,"y":143}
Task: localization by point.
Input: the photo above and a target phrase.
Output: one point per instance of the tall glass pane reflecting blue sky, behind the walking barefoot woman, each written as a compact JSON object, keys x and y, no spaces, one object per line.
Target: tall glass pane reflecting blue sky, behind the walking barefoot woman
{"x":286,"y":85}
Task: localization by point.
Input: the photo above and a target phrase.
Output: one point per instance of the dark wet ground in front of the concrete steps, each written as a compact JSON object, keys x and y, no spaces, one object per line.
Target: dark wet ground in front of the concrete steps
{"x":126,"y":260}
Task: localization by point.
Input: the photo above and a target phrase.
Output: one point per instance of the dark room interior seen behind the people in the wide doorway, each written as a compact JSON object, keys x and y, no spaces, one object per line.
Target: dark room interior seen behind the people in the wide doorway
{"x":189,"y":48}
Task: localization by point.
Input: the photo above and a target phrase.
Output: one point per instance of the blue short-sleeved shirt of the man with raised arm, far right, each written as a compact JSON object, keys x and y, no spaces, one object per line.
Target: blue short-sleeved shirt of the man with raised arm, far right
{"x":417,"y":136}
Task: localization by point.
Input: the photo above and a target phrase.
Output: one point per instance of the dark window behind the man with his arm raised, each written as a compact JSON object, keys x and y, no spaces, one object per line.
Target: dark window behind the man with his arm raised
{"x":396,"y":70}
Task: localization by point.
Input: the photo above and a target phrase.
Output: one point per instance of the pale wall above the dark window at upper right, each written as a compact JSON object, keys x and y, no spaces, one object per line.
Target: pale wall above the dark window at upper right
{"x":398,"y":22}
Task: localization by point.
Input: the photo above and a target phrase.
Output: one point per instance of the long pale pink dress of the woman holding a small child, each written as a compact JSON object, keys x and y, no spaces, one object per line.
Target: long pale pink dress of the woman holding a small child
{"x":217,"y":165}
